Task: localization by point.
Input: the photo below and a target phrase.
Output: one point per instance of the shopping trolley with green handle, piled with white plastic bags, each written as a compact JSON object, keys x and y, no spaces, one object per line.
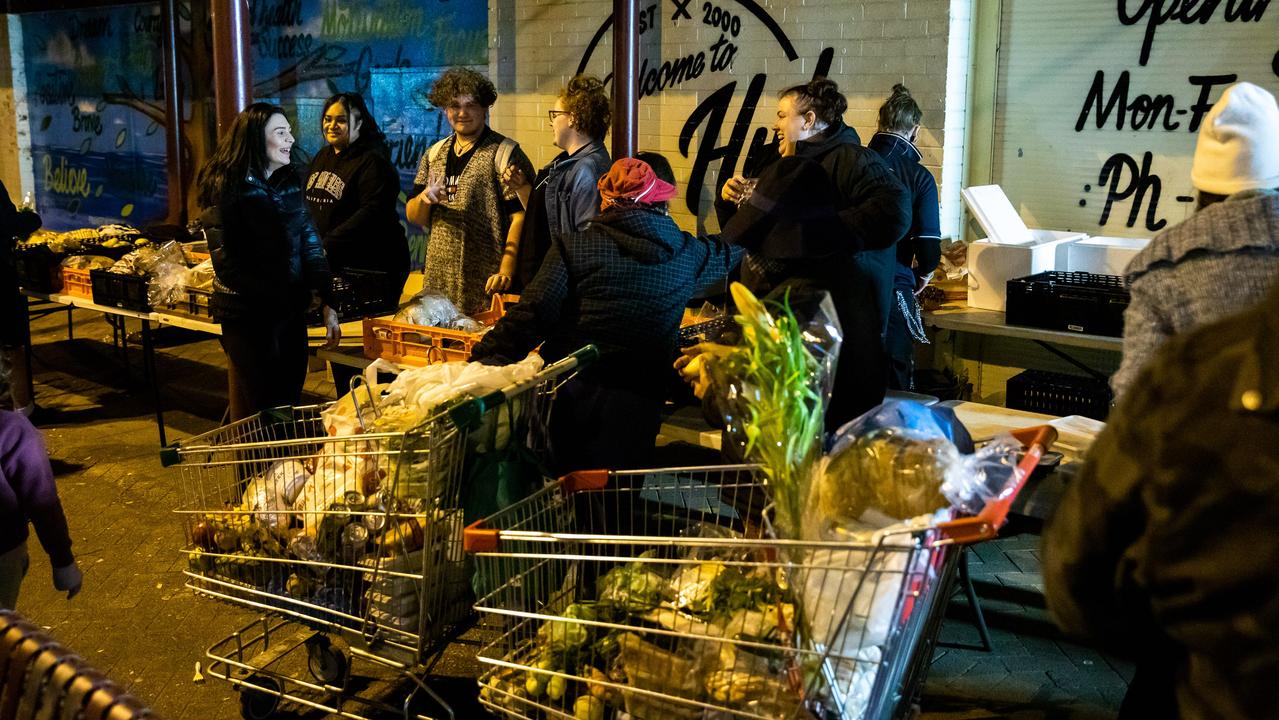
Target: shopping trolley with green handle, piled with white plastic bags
{"x":350,"y":545}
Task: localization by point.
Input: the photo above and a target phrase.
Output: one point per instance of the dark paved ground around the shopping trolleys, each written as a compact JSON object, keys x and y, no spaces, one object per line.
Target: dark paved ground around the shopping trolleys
{"x":136,"y":622}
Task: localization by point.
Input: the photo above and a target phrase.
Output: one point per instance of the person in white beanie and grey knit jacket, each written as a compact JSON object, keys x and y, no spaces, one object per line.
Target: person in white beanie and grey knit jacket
{"x":1223,"y":259}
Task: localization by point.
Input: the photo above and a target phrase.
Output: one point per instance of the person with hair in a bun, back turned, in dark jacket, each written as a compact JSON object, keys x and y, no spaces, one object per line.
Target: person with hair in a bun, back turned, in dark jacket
{"x":919,"y":253}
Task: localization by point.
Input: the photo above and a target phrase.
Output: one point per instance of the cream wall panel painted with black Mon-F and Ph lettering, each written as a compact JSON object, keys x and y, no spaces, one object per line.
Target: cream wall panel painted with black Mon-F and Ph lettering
{"x":1101,"y":103}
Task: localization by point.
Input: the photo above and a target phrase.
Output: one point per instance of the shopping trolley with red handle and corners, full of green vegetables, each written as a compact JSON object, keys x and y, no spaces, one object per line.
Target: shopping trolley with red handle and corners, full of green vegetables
{"x":664,"y":594}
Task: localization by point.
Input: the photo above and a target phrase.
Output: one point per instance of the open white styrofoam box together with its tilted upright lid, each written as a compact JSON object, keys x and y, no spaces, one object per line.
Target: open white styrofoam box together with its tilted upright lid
{"x":1011,"y":250}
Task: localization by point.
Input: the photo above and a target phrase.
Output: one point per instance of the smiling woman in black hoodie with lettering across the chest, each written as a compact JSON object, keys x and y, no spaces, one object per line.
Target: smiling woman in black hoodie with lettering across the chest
{"x":352,"y":191}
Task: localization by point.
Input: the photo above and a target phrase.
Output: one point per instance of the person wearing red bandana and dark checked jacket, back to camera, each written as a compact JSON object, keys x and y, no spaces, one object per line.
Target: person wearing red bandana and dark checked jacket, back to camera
{"x":621,"y":285}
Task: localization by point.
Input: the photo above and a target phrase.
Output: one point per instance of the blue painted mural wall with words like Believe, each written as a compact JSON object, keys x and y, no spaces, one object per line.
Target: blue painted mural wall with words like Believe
{"x":94,"y":90}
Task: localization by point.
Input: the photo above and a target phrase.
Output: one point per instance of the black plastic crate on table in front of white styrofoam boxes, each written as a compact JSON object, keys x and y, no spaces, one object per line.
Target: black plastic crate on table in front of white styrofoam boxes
{"x":1076,"y":302}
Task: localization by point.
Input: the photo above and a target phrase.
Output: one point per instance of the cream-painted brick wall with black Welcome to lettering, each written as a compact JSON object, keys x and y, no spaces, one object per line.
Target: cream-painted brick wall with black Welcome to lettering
{"x":539,"y":45}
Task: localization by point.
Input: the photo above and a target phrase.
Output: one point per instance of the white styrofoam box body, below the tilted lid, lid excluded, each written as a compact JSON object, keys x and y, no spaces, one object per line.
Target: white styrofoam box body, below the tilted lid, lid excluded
{"x":993,"y":265}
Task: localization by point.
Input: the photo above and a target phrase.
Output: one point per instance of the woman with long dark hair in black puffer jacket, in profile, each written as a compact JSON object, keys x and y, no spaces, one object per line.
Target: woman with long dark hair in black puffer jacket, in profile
{"x":268,"y":262}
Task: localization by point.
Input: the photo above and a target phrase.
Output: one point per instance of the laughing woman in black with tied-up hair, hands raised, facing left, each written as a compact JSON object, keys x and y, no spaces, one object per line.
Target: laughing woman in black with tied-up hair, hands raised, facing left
{"x":856,"y":264}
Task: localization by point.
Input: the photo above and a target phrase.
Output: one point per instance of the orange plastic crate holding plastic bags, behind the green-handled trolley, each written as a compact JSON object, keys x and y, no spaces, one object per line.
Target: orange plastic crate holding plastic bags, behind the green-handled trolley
{"x":418,"y":345}
